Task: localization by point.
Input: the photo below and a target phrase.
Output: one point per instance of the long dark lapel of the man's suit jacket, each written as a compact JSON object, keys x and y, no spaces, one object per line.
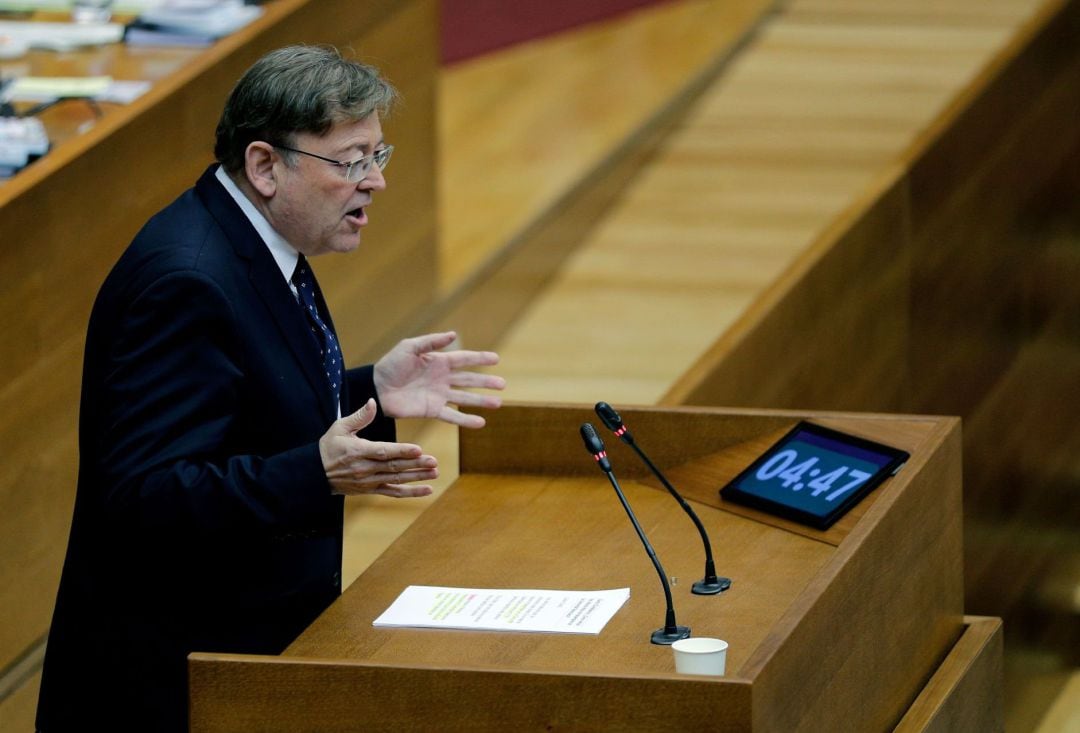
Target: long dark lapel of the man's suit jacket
{"x":266,"y":279}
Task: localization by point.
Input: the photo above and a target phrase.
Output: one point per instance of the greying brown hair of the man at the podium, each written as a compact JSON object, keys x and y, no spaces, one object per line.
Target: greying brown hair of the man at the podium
{"x":300,"y":89}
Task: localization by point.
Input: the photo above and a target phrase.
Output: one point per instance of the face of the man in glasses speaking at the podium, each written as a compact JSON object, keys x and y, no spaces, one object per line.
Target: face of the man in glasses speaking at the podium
{"x":314,"y":207}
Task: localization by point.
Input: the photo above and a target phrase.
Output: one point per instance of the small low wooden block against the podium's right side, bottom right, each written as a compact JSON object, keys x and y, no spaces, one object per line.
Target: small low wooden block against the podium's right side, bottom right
{"x":966,"y":693}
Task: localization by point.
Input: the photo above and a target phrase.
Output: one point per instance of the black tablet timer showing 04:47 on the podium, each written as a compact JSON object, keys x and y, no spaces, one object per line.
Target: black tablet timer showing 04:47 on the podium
{"x":814,"y":476}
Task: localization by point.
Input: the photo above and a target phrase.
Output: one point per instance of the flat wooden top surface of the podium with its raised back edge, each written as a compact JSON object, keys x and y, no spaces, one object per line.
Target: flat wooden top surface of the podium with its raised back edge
{"x":532,"y":511}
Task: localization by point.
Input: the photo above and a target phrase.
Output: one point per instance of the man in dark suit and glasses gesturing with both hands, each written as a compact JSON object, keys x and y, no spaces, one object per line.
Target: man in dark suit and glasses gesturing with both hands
{"x":213,"y":453}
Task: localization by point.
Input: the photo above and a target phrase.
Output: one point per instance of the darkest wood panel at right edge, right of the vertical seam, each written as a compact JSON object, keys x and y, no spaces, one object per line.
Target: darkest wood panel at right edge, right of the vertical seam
{"x":985,"y":197}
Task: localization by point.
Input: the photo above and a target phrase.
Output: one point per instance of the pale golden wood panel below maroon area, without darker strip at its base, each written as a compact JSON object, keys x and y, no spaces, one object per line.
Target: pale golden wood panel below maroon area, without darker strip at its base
{"x":523,"y":130}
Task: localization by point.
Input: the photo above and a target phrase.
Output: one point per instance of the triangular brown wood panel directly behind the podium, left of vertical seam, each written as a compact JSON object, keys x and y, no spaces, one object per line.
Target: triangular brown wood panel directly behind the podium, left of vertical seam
{"x":833,"y":331}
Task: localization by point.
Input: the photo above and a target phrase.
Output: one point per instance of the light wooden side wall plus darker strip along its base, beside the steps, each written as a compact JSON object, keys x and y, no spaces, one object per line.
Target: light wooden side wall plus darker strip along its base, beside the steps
{"x":505,"y":234}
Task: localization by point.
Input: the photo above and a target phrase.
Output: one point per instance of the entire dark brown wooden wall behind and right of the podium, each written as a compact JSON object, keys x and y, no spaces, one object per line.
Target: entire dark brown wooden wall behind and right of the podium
{"x":949,"y":292}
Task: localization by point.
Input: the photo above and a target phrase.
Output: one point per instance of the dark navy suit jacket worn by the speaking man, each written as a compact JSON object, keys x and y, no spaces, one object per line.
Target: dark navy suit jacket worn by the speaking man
{"x":204,"y":521}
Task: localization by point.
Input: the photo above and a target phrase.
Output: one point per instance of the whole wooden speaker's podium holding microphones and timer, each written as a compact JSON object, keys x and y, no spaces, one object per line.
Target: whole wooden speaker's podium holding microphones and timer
{"x":860,"y":628}
